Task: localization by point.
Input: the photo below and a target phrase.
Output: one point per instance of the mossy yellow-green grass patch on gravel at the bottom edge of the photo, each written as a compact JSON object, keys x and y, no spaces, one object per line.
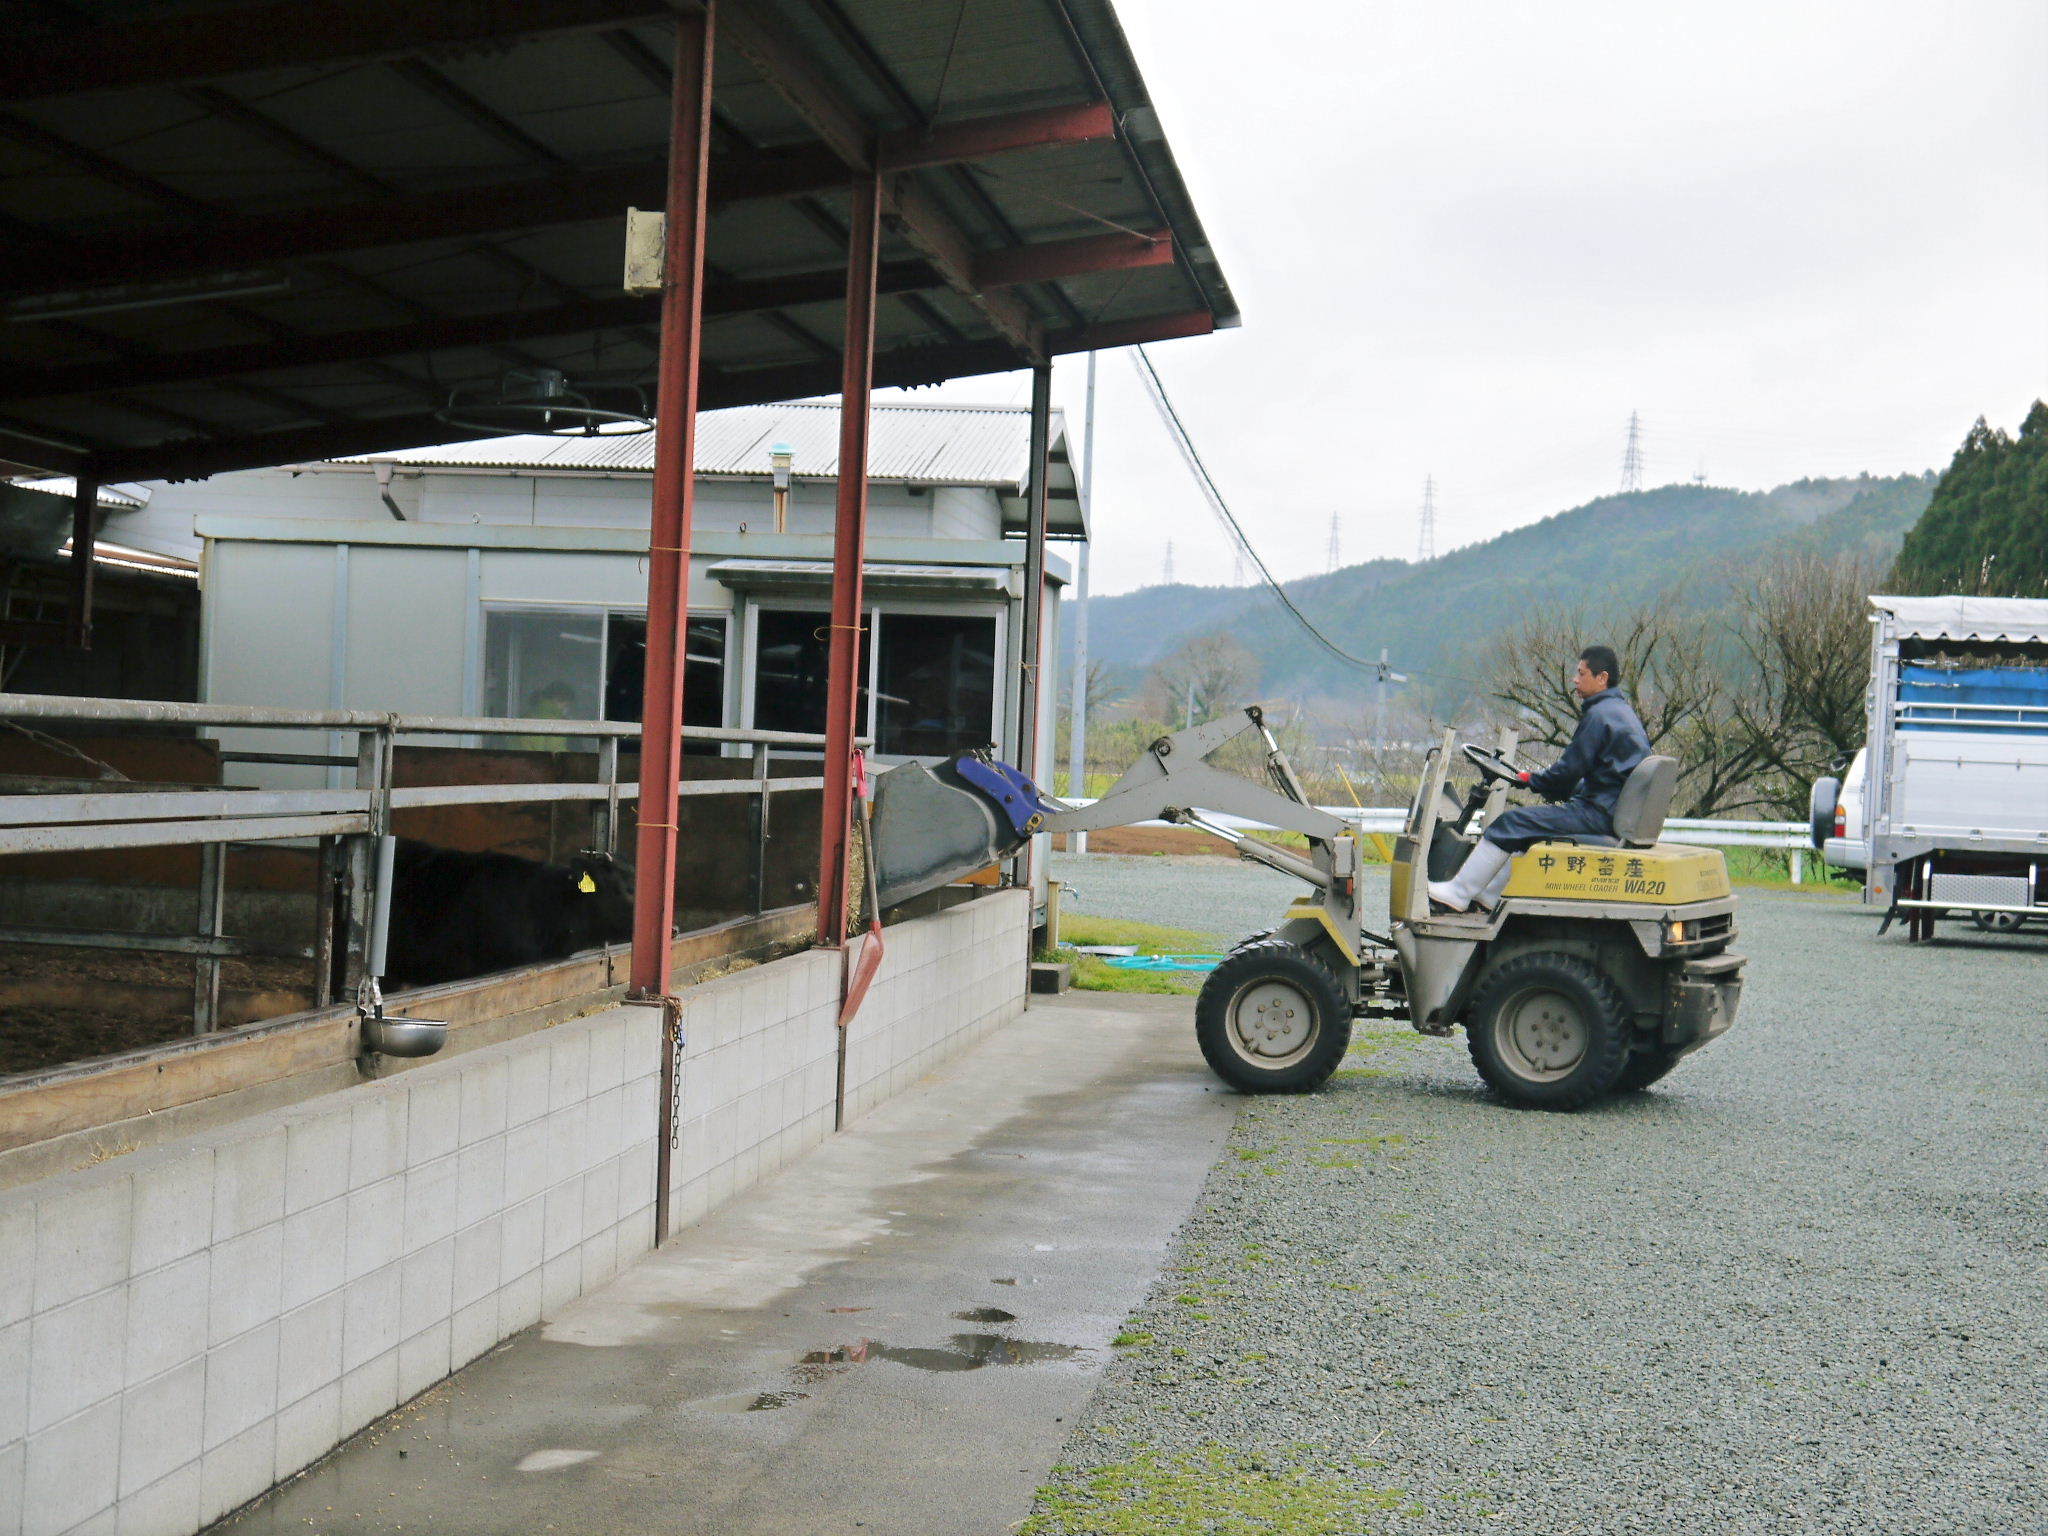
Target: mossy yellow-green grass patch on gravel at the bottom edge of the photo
{"x":1211,"y":1492}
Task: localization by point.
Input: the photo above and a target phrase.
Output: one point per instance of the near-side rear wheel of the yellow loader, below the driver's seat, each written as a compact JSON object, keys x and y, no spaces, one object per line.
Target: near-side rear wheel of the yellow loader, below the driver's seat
{"x":1549,"y":1031}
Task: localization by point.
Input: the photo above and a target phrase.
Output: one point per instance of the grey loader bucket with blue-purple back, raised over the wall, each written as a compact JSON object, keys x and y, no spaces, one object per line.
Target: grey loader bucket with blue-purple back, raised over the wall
{"x":935,"y":826}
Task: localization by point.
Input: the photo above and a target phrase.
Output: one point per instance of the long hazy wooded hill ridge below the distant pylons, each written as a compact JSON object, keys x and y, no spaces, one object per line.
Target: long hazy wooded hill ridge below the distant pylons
{"x":1682,"y":540}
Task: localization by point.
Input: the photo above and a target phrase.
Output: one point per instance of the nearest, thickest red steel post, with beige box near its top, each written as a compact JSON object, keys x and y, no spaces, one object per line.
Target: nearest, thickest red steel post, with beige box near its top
{"x":669,"y":548}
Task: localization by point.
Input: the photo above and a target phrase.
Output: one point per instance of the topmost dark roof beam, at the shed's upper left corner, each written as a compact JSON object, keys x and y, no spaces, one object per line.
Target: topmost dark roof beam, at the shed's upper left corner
{"x":194,"y":46}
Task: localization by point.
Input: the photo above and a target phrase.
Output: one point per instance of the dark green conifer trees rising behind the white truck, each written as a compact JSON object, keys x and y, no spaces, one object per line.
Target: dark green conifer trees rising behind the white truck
{"x":1986,"y":531}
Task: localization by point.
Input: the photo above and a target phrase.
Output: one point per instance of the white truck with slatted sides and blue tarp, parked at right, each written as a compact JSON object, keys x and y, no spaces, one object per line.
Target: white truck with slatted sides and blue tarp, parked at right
{"x":1947,"y":808}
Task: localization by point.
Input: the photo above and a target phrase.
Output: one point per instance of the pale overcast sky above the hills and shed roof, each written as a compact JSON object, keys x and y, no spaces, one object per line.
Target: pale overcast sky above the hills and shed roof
{"x":1799,"y":237}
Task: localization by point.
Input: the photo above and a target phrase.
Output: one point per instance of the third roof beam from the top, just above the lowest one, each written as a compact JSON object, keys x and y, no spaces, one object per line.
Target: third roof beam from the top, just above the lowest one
{"x":722,"y":298}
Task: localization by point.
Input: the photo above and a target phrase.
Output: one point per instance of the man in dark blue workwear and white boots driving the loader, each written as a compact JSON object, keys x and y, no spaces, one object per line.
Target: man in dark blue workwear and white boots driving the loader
{"x":1588,"y":779}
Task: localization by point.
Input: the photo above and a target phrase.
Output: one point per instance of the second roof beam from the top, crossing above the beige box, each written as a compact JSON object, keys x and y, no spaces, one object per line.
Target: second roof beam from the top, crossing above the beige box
{"x":495,"y":210}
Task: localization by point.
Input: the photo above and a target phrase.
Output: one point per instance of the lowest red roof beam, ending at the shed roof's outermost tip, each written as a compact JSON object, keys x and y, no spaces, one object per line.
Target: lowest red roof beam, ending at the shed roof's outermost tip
{"x":751,"y":388}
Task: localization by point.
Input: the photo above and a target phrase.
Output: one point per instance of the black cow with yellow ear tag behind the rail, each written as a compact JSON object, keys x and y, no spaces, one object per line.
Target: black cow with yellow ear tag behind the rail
{"x":458,"y":916}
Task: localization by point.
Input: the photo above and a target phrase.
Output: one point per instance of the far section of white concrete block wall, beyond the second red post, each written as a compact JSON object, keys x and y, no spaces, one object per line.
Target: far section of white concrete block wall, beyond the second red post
{"x":945,"y":984}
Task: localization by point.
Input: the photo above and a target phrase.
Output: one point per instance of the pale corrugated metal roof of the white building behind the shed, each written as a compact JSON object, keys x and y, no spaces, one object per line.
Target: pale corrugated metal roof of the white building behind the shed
{"x":931,"y":445}
